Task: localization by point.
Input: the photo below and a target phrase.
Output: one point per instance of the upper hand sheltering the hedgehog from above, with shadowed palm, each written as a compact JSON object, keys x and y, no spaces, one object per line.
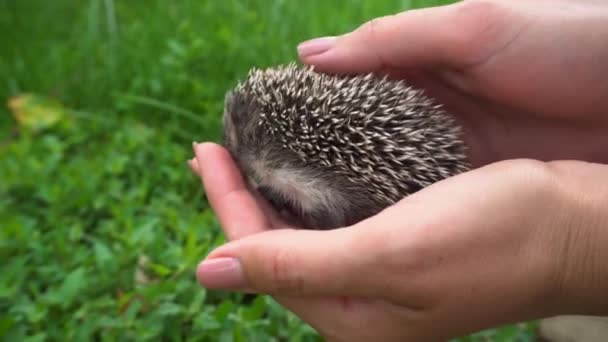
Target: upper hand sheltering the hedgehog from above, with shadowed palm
{"x":526,"y":79}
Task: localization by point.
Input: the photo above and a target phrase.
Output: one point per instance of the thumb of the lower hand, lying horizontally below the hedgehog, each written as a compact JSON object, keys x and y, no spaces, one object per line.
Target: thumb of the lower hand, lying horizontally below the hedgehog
{"x":295,"y":262}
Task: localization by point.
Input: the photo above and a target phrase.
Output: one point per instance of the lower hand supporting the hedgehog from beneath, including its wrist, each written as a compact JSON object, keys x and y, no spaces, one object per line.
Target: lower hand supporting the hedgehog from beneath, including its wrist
{"x":507,"y":242}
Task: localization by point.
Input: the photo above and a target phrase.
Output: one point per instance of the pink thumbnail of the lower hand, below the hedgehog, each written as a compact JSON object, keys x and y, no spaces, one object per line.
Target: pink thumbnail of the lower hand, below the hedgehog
{"x":221,"y":273}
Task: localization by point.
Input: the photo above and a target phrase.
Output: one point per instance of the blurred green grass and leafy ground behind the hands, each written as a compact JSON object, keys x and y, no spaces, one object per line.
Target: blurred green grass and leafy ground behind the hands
{"x":87,"y":204}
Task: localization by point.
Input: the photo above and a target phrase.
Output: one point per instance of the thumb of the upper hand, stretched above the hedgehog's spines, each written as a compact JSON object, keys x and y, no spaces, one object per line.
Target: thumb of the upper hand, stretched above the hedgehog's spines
{"x":437,"y":36}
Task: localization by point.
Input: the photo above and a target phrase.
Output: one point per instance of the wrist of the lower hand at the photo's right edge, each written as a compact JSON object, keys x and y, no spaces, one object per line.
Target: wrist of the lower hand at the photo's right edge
{"x":579,"y":240}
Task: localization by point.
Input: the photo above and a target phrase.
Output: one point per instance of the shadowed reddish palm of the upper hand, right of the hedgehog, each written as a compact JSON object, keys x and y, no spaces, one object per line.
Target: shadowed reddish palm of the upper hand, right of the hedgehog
{"x":497,"y":132}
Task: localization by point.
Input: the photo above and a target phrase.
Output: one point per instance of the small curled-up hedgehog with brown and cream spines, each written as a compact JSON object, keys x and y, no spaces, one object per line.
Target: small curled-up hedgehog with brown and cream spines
{"x":328,"y":151}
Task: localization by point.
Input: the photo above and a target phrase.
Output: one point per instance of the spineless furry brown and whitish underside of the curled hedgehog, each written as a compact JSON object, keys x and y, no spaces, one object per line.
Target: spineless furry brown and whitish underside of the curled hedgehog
{"x":300,"y":194}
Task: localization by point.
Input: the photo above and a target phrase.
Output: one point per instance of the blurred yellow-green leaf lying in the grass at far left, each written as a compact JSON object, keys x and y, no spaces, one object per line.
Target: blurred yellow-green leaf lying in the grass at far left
{"x":36,"y":112}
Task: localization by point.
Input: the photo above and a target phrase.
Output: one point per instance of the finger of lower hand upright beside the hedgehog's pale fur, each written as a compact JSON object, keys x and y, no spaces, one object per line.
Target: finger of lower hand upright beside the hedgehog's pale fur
{"x":236,"y":208}
